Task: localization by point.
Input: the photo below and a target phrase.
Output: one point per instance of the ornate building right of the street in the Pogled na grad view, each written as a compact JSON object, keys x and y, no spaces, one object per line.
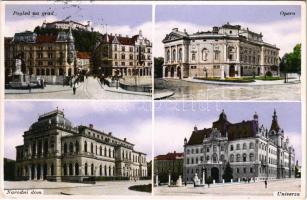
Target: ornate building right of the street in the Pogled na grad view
{"x":123,"y":55}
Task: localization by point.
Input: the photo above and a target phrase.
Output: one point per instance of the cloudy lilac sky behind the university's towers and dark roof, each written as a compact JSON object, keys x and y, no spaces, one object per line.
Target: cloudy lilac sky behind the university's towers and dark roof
{"x":175,"y":121}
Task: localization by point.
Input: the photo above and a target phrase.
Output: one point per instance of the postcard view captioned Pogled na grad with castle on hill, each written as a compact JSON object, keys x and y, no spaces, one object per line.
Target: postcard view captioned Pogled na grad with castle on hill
{"x":62,"y":50}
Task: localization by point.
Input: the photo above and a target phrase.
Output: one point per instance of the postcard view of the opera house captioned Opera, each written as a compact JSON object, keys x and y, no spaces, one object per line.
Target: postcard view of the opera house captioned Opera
{"x":228,"y":52}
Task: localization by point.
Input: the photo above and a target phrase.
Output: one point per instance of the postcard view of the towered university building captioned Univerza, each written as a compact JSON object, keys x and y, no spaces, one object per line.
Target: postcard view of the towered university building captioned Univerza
{"x":227,"y":148}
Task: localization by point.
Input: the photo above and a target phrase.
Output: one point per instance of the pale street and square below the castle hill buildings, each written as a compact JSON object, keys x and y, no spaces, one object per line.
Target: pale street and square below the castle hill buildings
{"x":89,"y":89}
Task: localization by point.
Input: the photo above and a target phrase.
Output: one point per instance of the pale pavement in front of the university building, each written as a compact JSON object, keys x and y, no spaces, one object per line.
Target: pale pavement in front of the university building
{"x":237,"y":189}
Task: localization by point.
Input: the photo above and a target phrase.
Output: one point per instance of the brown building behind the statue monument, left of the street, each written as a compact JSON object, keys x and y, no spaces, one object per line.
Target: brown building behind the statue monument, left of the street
{"x":47,"y":56}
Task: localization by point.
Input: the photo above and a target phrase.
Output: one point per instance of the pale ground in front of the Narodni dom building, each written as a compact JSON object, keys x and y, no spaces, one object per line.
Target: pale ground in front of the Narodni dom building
{"x":100,"y":188}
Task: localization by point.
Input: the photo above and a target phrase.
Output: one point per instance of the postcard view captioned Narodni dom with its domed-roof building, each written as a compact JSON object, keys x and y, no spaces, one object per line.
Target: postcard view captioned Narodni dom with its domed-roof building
{"x":77,"y":148}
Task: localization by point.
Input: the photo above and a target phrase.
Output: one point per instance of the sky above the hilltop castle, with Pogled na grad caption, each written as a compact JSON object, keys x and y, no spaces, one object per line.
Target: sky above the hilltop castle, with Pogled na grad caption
{"x":120,"y":19}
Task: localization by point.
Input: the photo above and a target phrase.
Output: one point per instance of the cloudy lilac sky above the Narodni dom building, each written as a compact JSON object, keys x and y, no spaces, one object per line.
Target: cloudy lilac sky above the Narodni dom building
{"x":131,"y":120}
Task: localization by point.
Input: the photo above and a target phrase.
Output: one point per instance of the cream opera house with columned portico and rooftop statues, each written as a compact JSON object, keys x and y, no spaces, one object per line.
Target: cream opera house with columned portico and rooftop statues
{"x":226,"y":51}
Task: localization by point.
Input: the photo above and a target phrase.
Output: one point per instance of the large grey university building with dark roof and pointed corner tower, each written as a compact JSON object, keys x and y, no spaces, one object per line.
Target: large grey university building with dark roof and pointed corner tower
{"x":253,"y":151}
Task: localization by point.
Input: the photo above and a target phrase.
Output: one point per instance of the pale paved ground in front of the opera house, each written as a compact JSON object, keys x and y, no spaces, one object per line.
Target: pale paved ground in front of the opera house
{"x":184,"y":90}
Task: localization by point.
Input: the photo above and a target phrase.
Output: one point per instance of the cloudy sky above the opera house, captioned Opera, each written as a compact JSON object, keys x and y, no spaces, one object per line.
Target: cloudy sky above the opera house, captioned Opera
{"x":284,"y":31}
